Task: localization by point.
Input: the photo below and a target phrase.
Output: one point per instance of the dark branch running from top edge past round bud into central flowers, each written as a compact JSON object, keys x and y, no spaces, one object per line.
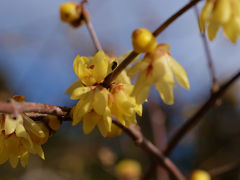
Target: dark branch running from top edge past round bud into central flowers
{"x":133,"y":54}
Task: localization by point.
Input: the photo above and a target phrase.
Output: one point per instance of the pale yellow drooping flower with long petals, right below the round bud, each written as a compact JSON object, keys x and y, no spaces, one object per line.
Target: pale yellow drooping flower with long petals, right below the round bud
{"x":158,"y":68}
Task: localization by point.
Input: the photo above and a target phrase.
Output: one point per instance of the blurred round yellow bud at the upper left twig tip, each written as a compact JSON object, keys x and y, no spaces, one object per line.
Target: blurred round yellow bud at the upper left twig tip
{"x":69,"y":12}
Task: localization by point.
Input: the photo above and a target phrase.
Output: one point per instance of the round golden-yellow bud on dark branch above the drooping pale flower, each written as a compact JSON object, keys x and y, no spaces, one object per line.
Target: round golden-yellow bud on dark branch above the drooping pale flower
{"x":143,"y":41}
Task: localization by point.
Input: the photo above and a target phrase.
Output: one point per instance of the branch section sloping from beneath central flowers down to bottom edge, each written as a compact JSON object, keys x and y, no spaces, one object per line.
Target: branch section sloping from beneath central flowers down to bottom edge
{"x":136,"y":135}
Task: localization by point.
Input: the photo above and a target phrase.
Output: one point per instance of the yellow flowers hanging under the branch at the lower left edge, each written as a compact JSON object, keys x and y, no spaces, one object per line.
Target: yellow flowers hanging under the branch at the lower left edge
{"x":19,"y":137}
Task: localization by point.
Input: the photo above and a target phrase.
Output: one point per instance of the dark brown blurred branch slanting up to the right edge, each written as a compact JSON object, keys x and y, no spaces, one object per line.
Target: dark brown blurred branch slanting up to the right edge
{"x":190,"y":123}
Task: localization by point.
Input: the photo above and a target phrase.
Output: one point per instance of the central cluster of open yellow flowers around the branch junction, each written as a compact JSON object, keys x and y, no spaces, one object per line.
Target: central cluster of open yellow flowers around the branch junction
{"x":96,"y":103}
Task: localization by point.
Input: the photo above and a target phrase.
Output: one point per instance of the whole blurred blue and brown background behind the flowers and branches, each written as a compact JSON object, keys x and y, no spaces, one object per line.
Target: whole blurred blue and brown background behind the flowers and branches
{"x":36,"y":55}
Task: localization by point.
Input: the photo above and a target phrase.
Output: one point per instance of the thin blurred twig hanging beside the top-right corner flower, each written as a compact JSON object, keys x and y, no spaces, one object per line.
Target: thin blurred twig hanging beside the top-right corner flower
{"x":215,"y":85}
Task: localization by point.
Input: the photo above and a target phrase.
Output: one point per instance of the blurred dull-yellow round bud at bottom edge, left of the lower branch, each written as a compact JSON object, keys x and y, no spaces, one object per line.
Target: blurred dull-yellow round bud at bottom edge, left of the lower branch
{"x":128,"y":170}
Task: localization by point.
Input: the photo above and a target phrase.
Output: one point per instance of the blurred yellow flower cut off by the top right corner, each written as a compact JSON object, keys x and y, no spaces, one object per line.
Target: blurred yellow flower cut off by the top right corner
{"x":217,"y":13}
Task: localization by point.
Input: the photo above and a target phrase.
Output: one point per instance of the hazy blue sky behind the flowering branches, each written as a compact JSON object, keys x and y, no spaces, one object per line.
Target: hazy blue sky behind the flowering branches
{"x":37,"y":50}
